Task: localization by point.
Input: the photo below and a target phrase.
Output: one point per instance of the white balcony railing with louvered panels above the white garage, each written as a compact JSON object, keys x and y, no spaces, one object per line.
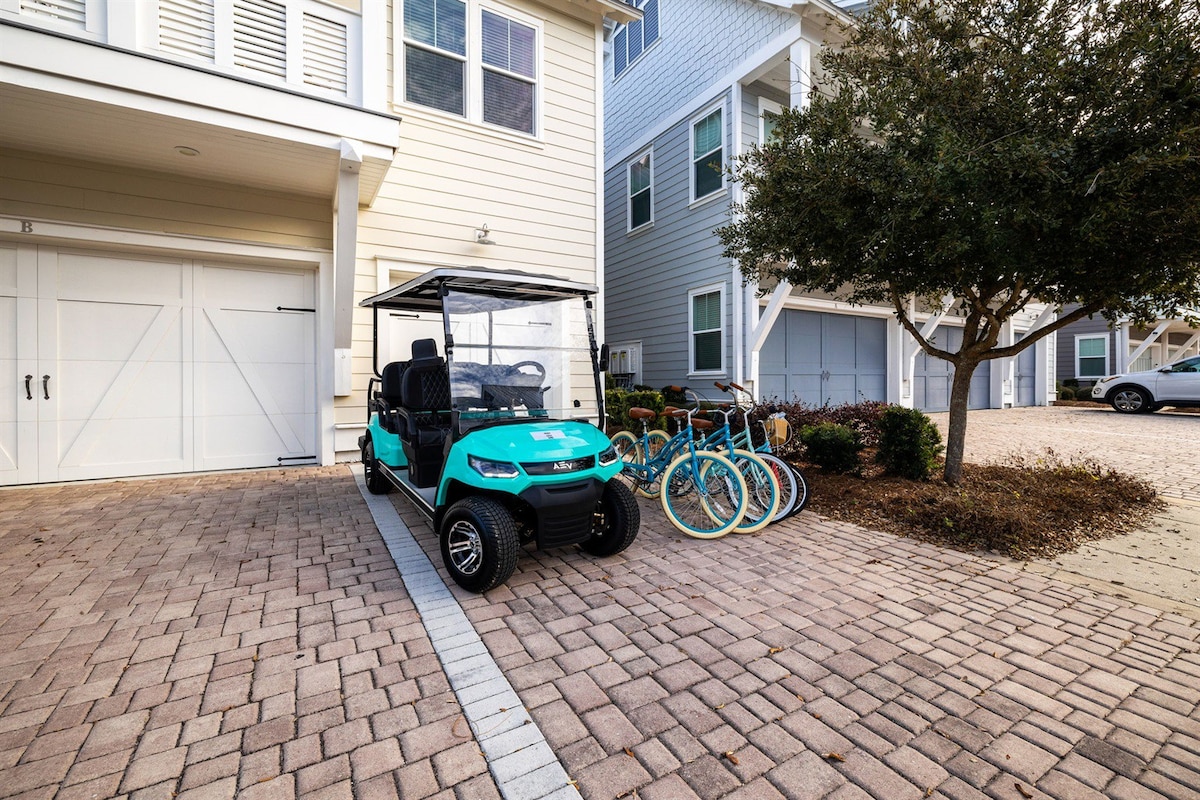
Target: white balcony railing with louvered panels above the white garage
{"x":307,"y":45}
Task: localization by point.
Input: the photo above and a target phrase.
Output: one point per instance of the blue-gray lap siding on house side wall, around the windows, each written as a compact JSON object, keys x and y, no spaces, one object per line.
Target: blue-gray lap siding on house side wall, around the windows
{"x":649,"y":274}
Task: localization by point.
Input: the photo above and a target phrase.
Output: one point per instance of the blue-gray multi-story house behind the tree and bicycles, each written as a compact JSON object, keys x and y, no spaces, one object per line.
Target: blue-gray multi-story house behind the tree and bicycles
{"x":688,"y":89}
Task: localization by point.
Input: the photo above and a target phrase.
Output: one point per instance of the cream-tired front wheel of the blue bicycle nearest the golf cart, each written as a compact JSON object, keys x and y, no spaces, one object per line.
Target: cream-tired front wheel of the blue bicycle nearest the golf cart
{"x":705,"y":495}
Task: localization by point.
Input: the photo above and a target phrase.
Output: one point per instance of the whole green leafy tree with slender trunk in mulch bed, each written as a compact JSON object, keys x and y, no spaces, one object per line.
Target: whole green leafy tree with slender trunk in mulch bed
{"x":1001,"y":153}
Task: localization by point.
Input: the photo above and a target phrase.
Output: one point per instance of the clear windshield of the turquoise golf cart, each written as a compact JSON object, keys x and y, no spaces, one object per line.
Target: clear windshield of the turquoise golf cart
{"x":519,"y":359}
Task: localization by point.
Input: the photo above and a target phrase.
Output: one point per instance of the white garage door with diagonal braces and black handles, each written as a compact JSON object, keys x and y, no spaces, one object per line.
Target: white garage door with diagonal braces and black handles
{"x":130,"y":365}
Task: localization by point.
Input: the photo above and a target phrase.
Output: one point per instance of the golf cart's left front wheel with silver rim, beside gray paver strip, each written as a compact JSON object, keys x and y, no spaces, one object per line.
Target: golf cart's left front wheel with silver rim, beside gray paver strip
{"x":479,"y":544}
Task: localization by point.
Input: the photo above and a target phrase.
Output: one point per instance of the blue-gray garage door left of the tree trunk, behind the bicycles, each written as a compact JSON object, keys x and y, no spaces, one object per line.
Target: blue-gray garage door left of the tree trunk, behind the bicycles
{"x":825,"y":359}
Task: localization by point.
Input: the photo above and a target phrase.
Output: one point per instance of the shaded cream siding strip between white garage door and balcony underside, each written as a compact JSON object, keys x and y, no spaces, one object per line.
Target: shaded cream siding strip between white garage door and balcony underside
{"x":100,"y":195}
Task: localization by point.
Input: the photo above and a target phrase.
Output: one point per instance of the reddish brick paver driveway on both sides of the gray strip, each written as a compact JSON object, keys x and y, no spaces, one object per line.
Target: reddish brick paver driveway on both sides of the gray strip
{"x":248,"y":631}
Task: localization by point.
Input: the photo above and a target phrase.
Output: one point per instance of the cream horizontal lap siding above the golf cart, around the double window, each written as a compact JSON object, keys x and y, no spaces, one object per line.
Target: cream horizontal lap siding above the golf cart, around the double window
{"x":451,"y":177}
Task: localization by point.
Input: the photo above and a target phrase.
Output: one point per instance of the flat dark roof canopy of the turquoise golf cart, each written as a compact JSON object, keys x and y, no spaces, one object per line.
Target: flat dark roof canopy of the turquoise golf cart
{"x":424,"y":293}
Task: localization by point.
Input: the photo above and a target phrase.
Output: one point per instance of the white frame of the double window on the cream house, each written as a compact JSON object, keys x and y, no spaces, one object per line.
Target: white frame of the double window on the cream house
{"x":473,"y":88}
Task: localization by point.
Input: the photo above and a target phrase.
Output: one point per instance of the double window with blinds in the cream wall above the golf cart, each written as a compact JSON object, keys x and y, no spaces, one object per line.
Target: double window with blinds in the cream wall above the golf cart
{"x":472,"y":62}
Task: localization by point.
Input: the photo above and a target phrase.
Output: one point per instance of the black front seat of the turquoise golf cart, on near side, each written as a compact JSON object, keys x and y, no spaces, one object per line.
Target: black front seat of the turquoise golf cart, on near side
{"x":424,"y":413}
